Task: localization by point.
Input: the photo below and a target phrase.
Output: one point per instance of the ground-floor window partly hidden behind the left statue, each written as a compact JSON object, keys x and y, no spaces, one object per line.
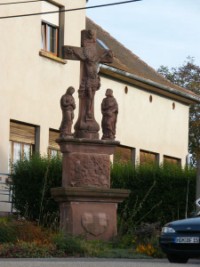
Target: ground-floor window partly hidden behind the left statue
{"x":53,"y":149}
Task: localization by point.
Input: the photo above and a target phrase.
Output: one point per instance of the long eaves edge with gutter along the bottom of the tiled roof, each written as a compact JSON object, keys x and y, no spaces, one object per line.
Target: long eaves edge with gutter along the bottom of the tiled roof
{"x":192,"y":97}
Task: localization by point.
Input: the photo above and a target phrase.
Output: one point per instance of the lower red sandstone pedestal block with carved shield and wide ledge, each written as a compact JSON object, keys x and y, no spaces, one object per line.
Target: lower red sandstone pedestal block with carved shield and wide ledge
{"x":90,"y":212}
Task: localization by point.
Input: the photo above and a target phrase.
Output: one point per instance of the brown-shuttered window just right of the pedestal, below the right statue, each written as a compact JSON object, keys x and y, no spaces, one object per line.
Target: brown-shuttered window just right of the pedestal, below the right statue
{"x":124,"y":154}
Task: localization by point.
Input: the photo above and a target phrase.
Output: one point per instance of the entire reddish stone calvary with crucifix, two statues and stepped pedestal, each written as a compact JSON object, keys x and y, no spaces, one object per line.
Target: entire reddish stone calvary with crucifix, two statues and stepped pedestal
{"x":88,"y":206}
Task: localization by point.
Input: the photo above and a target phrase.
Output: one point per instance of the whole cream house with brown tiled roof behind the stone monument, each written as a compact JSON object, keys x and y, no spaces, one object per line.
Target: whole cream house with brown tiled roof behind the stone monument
{"x":153,"y":113}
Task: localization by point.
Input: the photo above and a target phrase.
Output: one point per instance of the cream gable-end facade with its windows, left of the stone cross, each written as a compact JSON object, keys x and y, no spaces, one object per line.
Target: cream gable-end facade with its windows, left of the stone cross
{"x":34,"y":76}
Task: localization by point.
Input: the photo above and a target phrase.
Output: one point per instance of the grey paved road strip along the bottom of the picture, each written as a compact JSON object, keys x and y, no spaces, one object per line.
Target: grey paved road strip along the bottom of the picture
{"x":92,"y":263}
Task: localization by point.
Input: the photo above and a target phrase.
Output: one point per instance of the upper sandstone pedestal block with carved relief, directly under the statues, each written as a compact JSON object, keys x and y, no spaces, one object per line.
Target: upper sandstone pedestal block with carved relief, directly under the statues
{"x":86,"y":162}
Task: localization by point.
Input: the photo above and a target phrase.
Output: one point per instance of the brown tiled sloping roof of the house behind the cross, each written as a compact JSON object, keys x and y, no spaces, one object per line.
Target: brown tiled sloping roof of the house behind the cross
{"x":130,"y":68}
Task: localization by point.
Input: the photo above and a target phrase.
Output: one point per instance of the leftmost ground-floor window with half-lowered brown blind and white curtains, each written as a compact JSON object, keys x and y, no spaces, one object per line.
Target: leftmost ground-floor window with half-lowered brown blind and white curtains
{"x":22,"y":141}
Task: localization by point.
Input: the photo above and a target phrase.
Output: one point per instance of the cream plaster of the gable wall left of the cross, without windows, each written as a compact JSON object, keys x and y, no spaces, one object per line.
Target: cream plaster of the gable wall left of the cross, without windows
{"x":31,"y":85}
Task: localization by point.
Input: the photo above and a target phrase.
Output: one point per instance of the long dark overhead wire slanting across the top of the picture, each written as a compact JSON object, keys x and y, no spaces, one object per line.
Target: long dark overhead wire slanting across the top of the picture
{"x":67,"y":10}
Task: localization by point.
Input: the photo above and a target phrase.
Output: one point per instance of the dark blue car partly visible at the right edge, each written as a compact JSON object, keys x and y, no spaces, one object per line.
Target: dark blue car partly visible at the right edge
{"x":180,"y":240}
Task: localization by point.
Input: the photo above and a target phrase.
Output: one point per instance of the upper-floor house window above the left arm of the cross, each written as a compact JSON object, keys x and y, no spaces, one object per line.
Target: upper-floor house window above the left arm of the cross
{"x":50,"y":38}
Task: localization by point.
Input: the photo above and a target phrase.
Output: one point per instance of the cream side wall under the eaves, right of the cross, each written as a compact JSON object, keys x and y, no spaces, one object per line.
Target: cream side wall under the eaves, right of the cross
{"x":153,"y":126}
